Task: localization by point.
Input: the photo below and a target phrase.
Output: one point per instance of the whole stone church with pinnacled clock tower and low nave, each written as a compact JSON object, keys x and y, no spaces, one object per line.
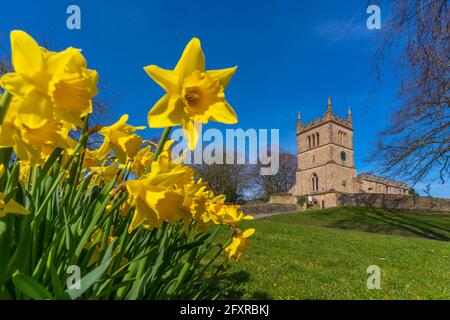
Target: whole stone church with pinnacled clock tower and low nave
{"x":326,"y":165}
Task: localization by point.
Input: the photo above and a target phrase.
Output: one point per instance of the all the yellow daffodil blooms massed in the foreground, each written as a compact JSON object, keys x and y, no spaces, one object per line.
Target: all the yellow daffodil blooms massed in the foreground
{"x":49,"y":95}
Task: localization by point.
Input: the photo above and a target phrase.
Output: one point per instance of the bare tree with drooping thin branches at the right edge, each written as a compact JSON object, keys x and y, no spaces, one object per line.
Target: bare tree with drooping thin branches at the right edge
{"x":416,"y":145}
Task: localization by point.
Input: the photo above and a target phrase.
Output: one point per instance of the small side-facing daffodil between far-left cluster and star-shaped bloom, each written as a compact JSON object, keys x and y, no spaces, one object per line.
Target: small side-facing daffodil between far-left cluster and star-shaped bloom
{"x":121,"y":139}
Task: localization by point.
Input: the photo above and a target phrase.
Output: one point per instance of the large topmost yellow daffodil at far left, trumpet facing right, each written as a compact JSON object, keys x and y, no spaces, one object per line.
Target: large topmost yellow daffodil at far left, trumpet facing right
{"x":51,"y":86}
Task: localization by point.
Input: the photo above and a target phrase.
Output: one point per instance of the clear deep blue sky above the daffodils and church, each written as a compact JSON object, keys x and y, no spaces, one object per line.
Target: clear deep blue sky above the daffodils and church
{"x":291,"y":56}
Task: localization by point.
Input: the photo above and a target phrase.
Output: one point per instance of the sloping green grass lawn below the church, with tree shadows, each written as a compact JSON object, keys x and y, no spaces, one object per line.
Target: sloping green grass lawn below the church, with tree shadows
{"x":325,"y":254}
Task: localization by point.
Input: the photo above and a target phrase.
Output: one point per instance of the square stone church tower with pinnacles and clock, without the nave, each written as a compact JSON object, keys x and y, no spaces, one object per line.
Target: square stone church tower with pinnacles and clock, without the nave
{"x":325,"y":156}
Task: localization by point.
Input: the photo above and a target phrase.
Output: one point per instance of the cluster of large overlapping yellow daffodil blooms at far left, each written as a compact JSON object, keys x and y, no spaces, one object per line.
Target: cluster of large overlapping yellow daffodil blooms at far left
{"x":50,"y":93}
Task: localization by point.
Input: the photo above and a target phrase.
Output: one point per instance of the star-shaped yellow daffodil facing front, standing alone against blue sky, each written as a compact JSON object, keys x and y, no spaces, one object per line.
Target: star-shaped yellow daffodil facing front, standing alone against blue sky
{"x":194,"y":96}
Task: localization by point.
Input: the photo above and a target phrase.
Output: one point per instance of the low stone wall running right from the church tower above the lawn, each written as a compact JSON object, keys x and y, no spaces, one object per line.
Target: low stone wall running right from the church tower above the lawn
{"x":392,"y":201}
